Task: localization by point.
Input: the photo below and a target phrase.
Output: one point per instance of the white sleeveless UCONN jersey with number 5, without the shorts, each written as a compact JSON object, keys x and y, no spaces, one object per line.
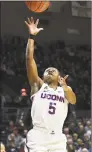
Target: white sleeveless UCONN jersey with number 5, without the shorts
{"x":49,"y":108}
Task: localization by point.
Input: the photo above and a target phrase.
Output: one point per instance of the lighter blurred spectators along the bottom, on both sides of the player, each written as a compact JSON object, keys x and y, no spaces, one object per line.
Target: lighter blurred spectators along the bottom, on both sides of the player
{"x":78,"y":135}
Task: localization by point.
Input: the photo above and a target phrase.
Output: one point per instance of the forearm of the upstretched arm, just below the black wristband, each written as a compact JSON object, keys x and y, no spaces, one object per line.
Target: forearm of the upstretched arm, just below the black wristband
{"x":30,"y":50}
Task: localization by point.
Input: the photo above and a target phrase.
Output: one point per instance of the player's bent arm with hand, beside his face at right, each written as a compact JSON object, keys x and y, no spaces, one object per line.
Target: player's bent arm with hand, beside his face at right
{"x":69,"y":94}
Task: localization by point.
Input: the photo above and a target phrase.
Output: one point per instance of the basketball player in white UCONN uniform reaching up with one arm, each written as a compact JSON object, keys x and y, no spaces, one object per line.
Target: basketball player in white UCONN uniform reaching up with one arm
{"x":50,"y":102}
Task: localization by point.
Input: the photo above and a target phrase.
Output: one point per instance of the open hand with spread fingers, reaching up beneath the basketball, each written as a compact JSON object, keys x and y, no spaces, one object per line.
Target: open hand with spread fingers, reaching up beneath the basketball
{"x":32,"y":27}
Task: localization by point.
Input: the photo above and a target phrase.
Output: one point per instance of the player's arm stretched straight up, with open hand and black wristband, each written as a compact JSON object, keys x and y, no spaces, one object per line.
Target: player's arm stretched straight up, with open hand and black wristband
{"x":31,"y":66}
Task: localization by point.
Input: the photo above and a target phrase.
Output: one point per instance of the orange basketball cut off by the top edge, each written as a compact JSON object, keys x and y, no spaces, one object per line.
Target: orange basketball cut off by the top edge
{"x":37,"y":6}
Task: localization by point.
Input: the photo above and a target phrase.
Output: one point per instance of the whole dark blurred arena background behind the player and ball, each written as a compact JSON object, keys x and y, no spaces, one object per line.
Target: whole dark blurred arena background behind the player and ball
{"x":65,"y":44}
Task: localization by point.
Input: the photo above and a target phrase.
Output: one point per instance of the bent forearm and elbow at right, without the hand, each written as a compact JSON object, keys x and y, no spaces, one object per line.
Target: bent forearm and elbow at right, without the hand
{"x":69,"y":94}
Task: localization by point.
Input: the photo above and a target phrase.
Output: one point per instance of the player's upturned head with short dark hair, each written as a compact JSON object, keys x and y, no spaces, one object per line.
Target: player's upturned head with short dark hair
{"x":51,"y":75}
